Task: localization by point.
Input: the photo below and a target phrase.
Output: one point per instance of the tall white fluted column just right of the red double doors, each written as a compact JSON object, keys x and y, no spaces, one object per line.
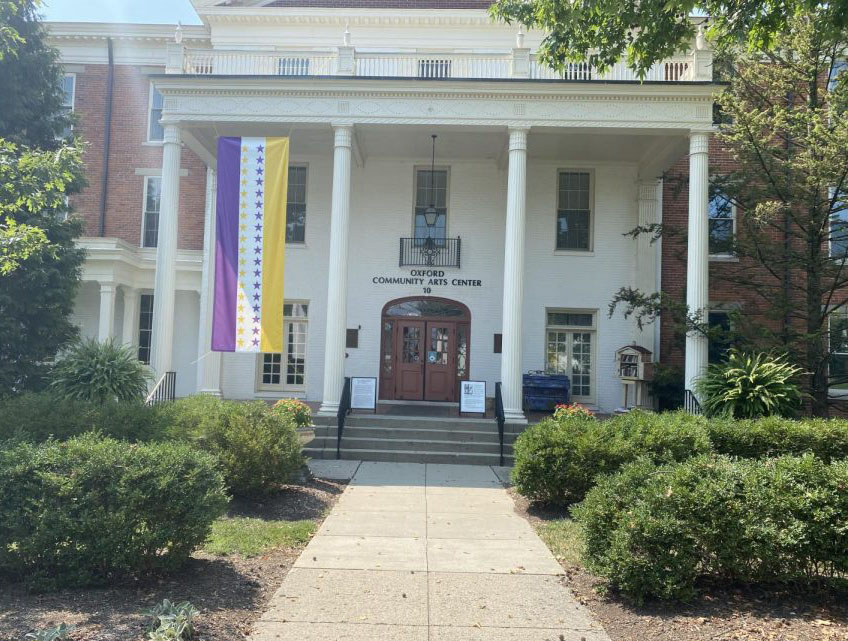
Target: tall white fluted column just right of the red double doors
{"x":514,"y":275}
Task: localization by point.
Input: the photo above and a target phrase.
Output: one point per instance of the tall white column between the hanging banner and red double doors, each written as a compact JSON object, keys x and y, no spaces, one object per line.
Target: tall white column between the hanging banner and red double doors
{"x":334,"y":354}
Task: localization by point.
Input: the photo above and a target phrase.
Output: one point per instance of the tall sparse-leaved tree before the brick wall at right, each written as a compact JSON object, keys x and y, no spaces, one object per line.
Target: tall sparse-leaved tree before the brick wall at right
{"x":784,"y":122}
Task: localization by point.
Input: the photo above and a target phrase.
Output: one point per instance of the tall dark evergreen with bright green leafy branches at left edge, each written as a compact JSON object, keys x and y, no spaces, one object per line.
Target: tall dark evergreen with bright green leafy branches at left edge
{"x":39,"y":263}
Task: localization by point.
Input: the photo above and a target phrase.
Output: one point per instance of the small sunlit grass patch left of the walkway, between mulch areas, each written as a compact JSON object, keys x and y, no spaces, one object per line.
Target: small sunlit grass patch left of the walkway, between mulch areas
{"x":252,"y":537}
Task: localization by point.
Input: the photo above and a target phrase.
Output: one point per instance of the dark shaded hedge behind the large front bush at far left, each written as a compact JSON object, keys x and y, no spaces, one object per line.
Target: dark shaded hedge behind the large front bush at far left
{"x":36,"y":417}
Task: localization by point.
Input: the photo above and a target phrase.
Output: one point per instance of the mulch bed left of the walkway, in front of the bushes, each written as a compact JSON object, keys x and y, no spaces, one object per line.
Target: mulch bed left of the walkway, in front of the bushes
{"x":230,"y":592}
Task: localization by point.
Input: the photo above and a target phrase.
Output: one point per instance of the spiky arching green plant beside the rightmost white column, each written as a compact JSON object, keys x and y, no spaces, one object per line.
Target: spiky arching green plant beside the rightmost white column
{"x":750,"y":386}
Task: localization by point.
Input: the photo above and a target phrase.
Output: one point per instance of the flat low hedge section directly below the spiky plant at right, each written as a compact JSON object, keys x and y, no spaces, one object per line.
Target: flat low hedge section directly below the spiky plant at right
{"x":775,"y":436}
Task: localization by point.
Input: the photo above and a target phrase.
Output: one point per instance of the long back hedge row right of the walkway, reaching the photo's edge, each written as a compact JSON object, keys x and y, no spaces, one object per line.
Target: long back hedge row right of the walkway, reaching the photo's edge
{"x":558,"y":460}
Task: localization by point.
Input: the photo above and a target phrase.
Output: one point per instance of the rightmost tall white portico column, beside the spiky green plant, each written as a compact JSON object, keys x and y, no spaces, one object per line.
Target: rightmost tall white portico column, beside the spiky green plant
{"x":697,"y":265}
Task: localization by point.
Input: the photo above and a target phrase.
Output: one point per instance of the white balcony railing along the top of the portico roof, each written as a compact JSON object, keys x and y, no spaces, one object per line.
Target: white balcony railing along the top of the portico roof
{"x":345,"y":61}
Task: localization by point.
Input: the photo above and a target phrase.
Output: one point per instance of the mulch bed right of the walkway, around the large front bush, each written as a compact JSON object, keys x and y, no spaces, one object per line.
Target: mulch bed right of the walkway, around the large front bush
{"x":720,"y":613}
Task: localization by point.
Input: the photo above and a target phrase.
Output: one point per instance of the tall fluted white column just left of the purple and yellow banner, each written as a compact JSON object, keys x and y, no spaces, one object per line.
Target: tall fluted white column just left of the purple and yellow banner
{"x":164,"y":293}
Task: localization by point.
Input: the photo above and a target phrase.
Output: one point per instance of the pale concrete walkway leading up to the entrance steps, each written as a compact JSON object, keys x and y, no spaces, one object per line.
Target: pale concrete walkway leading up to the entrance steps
{"x":425,"y":553}
